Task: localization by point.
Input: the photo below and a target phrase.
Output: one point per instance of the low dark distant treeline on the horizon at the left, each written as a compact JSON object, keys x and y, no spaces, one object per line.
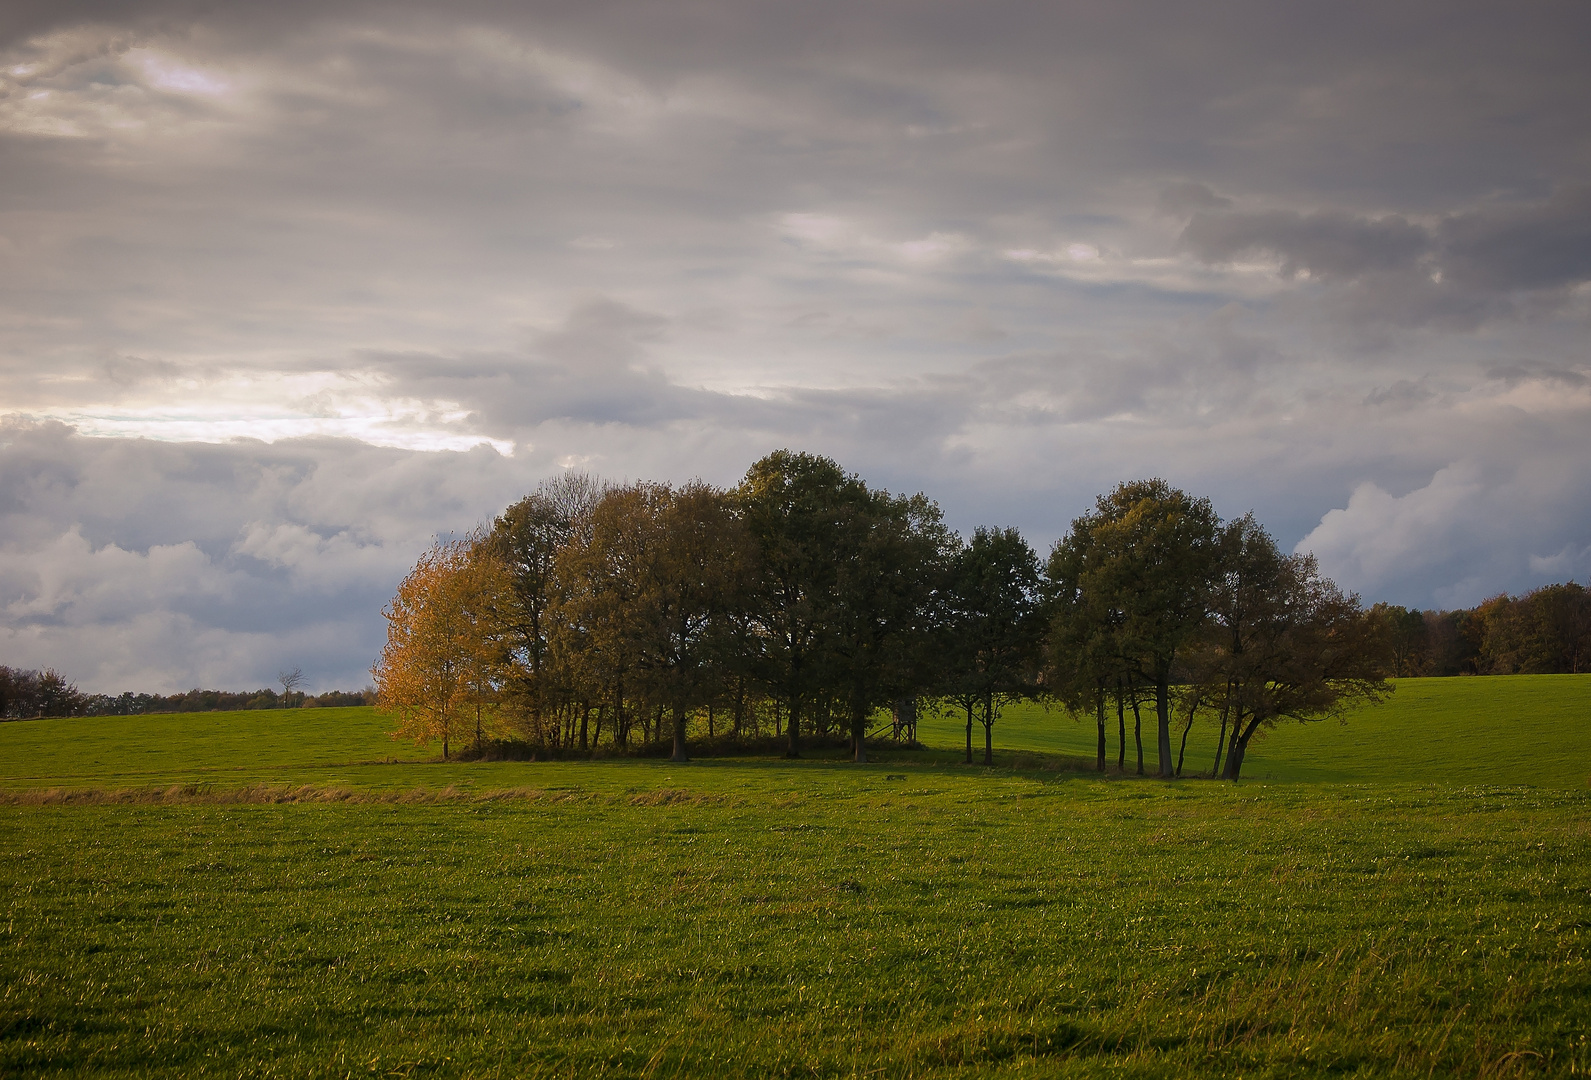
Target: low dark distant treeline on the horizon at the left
{"x":29,"y":694}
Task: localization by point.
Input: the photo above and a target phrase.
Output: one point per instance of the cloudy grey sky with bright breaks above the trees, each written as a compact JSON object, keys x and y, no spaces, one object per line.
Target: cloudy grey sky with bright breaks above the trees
{"x":289,"y":290}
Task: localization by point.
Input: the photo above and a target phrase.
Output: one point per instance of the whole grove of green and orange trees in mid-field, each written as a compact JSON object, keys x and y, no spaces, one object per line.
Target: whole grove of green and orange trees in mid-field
{"x":807,"y":604}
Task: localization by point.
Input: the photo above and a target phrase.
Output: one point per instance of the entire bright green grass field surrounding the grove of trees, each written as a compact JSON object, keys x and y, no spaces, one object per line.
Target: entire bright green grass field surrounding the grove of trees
{"x":1409,"y":895}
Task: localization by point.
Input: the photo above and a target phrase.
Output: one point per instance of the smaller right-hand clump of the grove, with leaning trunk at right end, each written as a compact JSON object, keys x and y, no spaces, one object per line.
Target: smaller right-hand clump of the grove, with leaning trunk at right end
{"x":1159,"y":604}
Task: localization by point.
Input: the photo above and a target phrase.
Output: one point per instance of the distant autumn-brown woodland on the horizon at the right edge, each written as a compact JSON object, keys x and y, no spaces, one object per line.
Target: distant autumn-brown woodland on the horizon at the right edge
{"x":1544,"y":632}
